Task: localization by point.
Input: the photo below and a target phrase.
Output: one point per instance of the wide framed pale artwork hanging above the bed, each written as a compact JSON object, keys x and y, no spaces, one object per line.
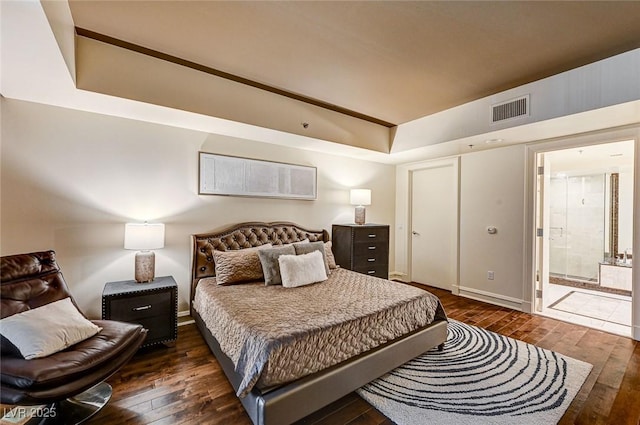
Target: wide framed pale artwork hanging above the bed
{"x":236,"y":176}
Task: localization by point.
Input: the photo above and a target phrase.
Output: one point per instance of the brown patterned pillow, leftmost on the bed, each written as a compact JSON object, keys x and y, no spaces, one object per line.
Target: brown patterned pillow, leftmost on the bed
{"x":235,"y":266}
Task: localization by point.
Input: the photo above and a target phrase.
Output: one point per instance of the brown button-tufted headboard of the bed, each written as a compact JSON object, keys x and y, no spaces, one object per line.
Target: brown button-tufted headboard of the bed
{"x":240,"y":236}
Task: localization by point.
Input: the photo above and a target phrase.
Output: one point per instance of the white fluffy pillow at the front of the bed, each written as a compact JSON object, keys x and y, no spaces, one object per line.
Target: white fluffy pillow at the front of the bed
{"x":299,"y":270}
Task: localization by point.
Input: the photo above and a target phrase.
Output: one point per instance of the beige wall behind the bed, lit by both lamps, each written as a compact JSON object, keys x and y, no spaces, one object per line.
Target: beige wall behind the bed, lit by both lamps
{"x":70,"y":180}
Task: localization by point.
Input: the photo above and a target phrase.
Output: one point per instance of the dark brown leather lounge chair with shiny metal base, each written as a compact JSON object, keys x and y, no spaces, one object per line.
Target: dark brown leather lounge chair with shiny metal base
{"x":72,"y":379}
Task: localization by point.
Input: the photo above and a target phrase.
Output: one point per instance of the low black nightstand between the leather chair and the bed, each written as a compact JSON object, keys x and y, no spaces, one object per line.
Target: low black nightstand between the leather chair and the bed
{"x":154,"y":305}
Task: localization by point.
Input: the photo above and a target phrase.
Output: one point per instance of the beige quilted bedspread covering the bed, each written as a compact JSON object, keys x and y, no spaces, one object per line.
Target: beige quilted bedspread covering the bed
{"x":275,"y":335}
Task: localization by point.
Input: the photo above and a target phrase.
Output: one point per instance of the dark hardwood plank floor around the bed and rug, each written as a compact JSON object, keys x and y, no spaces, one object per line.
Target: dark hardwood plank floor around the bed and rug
{"x":184,"y":384}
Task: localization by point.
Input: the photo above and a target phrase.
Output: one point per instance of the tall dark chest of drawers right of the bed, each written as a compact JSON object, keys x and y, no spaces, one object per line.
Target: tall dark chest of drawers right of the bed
{"x":362,"y":248}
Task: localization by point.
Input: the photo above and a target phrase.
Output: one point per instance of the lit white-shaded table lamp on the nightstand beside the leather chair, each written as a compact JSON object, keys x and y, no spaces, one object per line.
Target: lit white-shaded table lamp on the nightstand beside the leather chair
{"x":144,"y":237}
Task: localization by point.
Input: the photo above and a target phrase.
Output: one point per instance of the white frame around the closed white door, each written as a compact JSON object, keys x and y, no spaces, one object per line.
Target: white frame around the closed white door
{"x":403,"y":238}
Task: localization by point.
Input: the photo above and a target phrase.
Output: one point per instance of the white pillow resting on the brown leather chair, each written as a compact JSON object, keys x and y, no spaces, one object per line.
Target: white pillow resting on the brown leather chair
{"x":48,"y":329}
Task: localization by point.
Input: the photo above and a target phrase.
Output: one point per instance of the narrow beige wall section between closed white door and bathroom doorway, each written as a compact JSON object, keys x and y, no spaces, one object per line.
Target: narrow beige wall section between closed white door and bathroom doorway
{"x":492,"y":193}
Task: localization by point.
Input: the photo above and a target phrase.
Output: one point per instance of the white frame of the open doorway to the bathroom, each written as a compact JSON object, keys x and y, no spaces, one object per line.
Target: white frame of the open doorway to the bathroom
{"x":619,"y":134}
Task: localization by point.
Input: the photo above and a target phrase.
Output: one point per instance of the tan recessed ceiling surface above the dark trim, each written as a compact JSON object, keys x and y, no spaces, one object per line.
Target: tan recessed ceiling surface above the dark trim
{"x":391,"y":61}
